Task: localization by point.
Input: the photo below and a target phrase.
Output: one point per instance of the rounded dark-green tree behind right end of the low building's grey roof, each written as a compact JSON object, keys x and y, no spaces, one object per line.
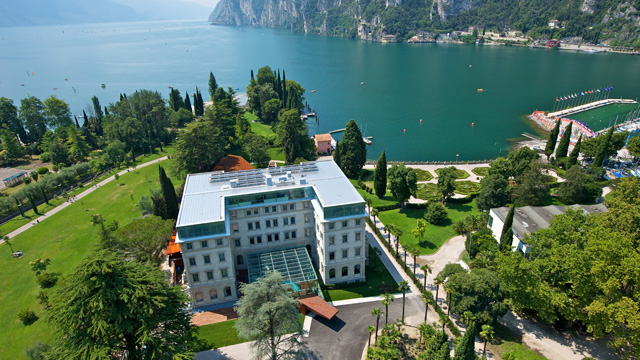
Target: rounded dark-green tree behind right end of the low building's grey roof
{"x":579,"y":187}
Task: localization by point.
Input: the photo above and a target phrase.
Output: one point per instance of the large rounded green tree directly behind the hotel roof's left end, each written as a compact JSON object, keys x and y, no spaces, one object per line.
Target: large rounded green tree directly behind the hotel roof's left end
{"x":198,"y":148}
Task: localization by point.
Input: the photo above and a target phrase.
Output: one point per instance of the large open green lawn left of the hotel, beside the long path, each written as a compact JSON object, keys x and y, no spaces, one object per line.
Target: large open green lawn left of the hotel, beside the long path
{"x":66,"y":238}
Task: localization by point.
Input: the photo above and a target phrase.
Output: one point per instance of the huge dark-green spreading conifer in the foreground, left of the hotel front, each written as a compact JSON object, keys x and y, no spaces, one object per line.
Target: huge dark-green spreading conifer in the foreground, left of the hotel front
{"x":93,"y":313}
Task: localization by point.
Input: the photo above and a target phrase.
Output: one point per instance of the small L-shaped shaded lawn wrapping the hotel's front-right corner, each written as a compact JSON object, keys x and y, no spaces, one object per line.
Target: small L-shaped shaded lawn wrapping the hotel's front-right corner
{"x":378,"y":280}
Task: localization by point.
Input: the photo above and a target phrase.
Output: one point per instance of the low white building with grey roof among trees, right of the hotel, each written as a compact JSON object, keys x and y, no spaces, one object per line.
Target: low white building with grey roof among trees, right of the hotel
{"x":529,"y":219}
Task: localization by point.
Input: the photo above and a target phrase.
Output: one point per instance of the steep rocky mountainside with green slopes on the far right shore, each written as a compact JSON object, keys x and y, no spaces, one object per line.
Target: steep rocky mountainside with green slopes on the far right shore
{"x":616,"y":22}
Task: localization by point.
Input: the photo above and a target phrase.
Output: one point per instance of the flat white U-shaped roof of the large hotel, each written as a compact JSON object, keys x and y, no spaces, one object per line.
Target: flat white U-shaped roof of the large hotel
{"x":204,"y":193}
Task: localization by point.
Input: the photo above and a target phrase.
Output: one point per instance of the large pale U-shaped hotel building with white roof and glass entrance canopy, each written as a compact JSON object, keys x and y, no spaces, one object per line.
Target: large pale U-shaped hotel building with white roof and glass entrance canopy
{"x":235,"y":226}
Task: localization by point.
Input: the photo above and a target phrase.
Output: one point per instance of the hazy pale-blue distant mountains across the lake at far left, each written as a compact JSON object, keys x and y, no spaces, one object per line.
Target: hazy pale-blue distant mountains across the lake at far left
{"x":61,"y":12}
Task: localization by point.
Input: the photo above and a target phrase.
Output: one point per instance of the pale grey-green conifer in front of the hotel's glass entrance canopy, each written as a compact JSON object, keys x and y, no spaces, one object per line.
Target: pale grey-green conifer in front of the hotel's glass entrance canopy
{"x":267,"y":314}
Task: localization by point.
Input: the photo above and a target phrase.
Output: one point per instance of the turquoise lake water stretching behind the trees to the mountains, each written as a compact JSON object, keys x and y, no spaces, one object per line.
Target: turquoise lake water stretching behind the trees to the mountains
{"x":403,"y":83}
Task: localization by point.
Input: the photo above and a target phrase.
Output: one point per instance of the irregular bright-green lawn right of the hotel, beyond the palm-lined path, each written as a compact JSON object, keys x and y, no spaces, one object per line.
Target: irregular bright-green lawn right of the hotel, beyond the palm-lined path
{"x":434,"y":236}
